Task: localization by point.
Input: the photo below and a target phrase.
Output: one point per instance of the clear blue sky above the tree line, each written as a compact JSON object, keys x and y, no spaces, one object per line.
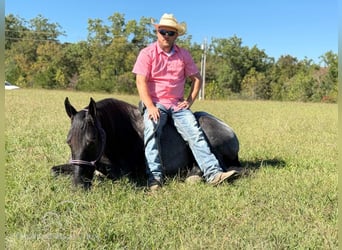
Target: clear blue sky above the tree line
{"x":300,"y":28}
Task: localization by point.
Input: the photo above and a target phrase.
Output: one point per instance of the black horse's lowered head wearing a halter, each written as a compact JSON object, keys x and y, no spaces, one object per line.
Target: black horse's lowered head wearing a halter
{"x":86,"y":139}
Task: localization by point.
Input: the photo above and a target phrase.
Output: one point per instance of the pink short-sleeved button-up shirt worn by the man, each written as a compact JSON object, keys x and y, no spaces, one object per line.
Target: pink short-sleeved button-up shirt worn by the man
{"x":166,"y":74}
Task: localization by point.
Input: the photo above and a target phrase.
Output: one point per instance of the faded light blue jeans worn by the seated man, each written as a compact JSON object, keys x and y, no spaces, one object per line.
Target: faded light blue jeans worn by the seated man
{"x":187,"y":126}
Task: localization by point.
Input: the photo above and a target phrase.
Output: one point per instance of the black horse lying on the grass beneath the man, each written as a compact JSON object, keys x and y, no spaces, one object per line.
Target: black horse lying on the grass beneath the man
{"x":107,"y":136}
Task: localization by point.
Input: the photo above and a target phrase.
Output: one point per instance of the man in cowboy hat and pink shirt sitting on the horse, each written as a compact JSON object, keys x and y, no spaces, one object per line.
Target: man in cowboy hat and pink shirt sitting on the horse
{"x":161,"y":70}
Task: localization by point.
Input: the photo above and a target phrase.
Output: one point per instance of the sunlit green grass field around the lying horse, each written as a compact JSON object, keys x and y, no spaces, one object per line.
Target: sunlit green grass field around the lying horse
{"x":289,"y":201}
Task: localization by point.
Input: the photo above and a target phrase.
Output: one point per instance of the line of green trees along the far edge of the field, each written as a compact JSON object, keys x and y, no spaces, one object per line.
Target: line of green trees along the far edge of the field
{"x":35,"y":58}
